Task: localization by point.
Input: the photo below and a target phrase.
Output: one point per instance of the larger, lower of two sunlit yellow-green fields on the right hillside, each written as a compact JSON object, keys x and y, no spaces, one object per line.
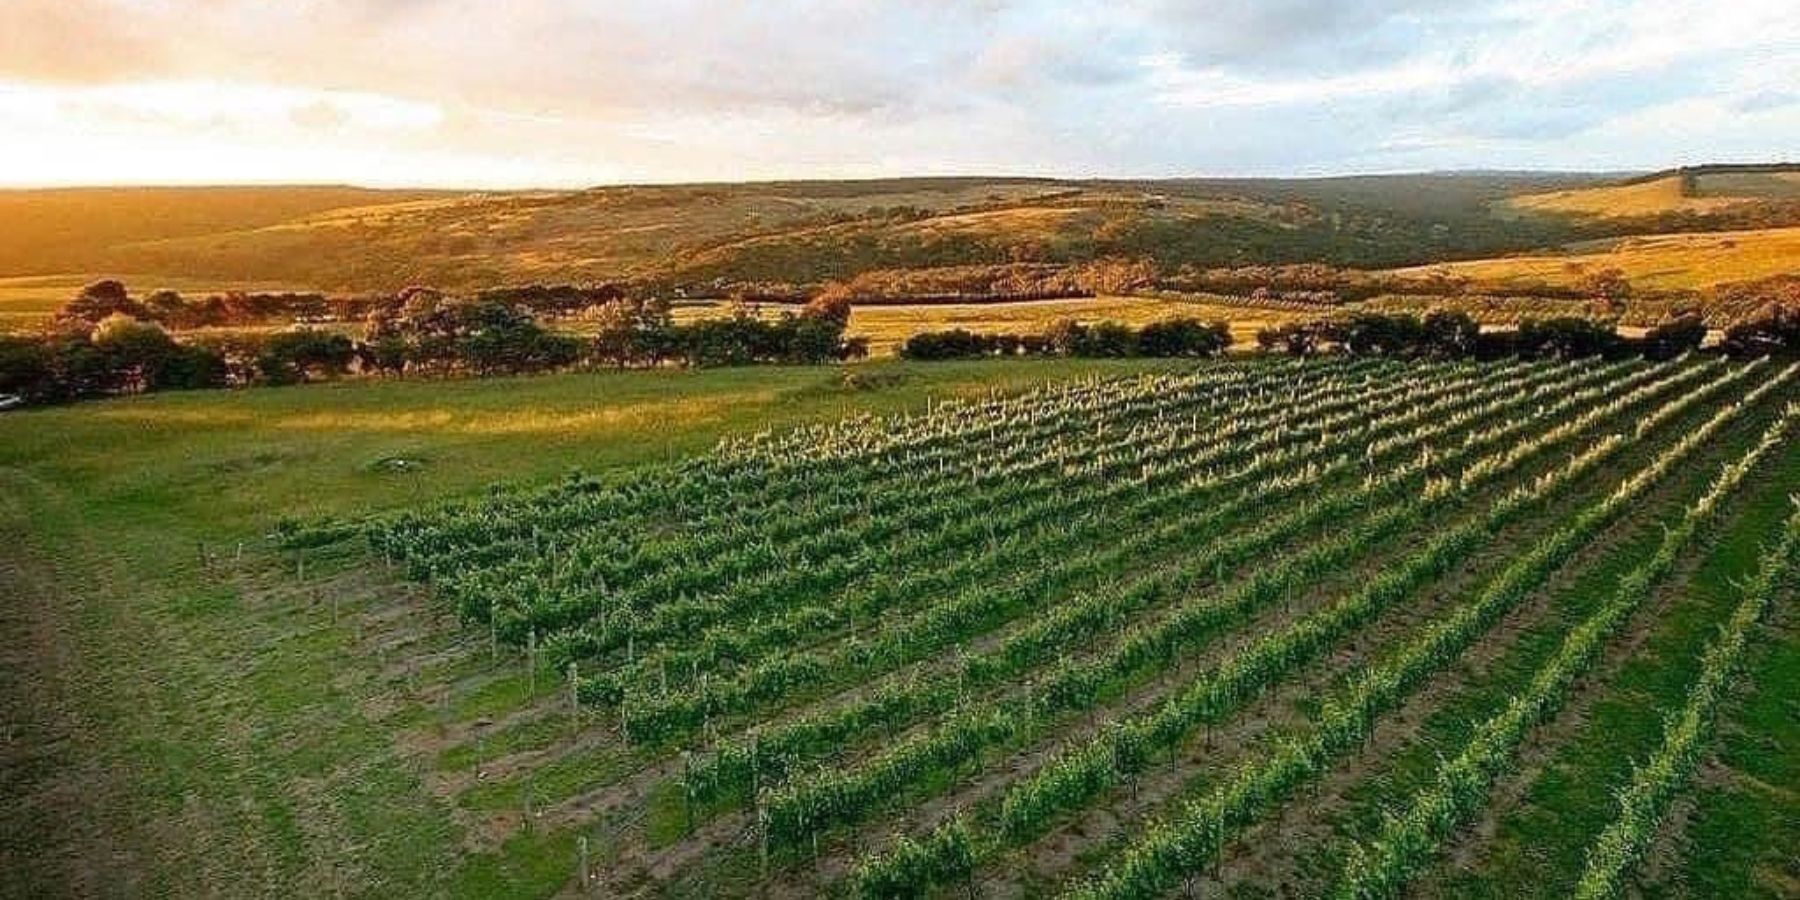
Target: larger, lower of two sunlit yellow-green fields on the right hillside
{"x":1664,"y":262}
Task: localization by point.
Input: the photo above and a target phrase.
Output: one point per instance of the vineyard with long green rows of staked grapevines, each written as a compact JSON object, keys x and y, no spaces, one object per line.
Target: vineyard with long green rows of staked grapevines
{"x":1290,"y":627}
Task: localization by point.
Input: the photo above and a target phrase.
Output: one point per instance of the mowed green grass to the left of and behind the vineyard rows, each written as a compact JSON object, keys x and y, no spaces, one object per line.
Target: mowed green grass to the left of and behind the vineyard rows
{"x":184,"y":728}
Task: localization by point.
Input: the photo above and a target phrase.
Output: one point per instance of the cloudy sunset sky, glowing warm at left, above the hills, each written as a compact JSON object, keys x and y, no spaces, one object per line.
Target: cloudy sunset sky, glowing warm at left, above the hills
{"x":582,"y":93}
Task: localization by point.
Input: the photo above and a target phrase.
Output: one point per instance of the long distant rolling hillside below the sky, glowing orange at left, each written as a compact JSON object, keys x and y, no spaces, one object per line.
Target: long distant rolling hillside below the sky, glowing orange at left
{"x":336,"y":238}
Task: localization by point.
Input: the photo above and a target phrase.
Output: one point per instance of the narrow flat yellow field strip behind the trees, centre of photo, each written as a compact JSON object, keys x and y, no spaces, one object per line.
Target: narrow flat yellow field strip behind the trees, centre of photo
{"x":888,"y":327}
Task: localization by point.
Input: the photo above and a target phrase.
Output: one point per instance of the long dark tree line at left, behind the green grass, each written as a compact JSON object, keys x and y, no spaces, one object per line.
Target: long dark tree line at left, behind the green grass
{"x":103,"y":343}
